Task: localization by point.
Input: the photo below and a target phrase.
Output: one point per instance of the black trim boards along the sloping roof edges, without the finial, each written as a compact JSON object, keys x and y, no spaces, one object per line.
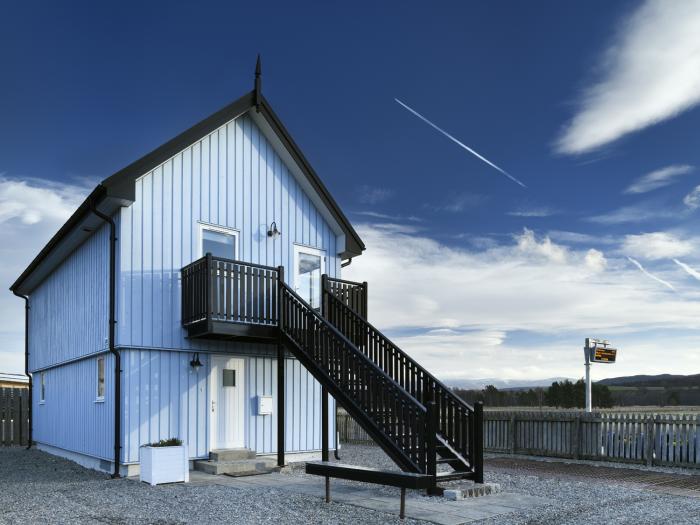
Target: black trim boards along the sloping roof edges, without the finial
{"x":120,"y":185}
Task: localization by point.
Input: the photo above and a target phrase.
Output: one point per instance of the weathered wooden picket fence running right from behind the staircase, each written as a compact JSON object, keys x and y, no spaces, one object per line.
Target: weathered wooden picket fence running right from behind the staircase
{"x":649,"y":439}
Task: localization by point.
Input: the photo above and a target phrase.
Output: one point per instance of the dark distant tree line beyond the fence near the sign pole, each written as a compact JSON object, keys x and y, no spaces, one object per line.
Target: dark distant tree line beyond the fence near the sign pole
{"x":561,"y":394}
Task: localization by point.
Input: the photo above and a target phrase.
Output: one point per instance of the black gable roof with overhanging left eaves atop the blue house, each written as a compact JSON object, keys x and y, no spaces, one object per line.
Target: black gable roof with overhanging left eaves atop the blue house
{"x":120,"y":189}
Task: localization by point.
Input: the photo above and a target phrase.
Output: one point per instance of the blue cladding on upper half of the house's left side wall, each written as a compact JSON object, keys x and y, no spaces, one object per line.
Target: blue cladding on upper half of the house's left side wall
{"x":69,"y":309}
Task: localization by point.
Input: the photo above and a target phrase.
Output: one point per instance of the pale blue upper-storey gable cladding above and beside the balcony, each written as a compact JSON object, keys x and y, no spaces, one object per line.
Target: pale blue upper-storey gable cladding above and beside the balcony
{"x":231,"y":178}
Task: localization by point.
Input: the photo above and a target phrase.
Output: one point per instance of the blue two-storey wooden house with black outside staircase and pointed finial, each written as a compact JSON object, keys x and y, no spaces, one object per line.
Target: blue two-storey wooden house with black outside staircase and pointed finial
{"x":197,"y":294}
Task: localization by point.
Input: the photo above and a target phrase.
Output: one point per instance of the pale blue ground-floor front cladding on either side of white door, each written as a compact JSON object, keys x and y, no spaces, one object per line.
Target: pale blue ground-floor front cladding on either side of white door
{"x":164,"y":397}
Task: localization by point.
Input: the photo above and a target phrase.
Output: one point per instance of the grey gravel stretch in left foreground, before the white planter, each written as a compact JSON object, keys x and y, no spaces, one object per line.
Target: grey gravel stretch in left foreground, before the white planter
{"x":38,"y":488}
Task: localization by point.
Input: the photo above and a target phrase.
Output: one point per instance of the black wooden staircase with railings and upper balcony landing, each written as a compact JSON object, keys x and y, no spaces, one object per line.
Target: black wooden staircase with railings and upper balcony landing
{"x":411,"y":415}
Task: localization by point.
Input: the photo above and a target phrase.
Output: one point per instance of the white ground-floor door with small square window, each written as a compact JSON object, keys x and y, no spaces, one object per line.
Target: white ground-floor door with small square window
{"x":227,"y":402}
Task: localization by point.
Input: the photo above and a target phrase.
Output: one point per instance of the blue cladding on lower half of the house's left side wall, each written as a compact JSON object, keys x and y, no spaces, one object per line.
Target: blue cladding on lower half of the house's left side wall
{"x":70,"y":417}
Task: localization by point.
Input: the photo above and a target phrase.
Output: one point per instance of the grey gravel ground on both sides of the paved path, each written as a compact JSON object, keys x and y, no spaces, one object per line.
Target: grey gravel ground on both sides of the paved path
{"x":39,"y":488}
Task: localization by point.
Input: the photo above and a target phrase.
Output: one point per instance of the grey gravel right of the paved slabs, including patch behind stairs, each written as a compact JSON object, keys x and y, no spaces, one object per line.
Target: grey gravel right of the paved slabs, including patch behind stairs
{"x":573,"y":502}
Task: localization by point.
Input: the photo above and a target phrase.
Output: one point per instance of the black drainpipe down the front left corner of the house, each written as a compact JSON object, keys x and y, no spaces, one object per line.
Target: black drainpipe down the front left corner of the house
{"x":112,"y":323}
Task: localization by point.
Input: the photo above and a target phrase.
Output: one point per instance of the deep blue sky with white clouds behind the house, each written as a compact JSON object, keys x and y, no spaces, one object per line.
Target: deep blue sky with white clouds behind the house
{"x":580,"y":101}
